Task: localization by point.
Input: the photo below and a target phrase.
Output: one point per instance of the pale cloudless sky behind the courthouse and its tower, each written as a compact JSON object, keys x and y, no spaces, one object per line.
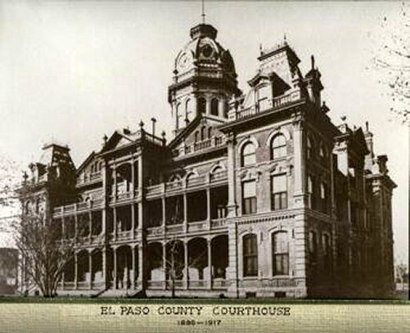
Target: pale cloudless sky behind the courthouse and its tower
{"x":72,"y":71}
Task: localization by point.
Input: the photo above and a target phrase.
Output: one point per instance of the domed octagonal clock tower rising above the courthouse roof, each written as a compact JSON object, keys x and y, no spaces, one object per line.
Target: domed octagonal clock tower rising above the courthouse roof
{"x":204,"y":79}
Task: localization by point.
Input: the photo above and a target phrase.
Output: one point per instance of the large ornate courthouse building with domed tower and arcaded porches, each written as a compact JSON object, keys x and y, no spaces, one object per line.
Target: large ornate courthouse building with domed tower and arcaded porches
{"x":257,"y":193}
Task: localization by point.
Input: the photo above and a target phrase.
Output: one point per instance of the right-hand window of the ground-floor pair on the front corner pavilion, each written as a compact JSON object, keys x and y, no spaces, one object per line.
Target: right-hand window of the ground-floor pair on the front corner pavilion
{"x":280,"y":253}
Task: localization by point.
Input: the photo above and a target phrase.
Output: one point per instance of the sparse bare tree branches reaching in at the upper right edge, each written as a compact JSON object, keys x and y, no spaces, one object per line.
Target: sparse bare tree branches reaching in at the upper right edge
{"x":391,"y":60}
